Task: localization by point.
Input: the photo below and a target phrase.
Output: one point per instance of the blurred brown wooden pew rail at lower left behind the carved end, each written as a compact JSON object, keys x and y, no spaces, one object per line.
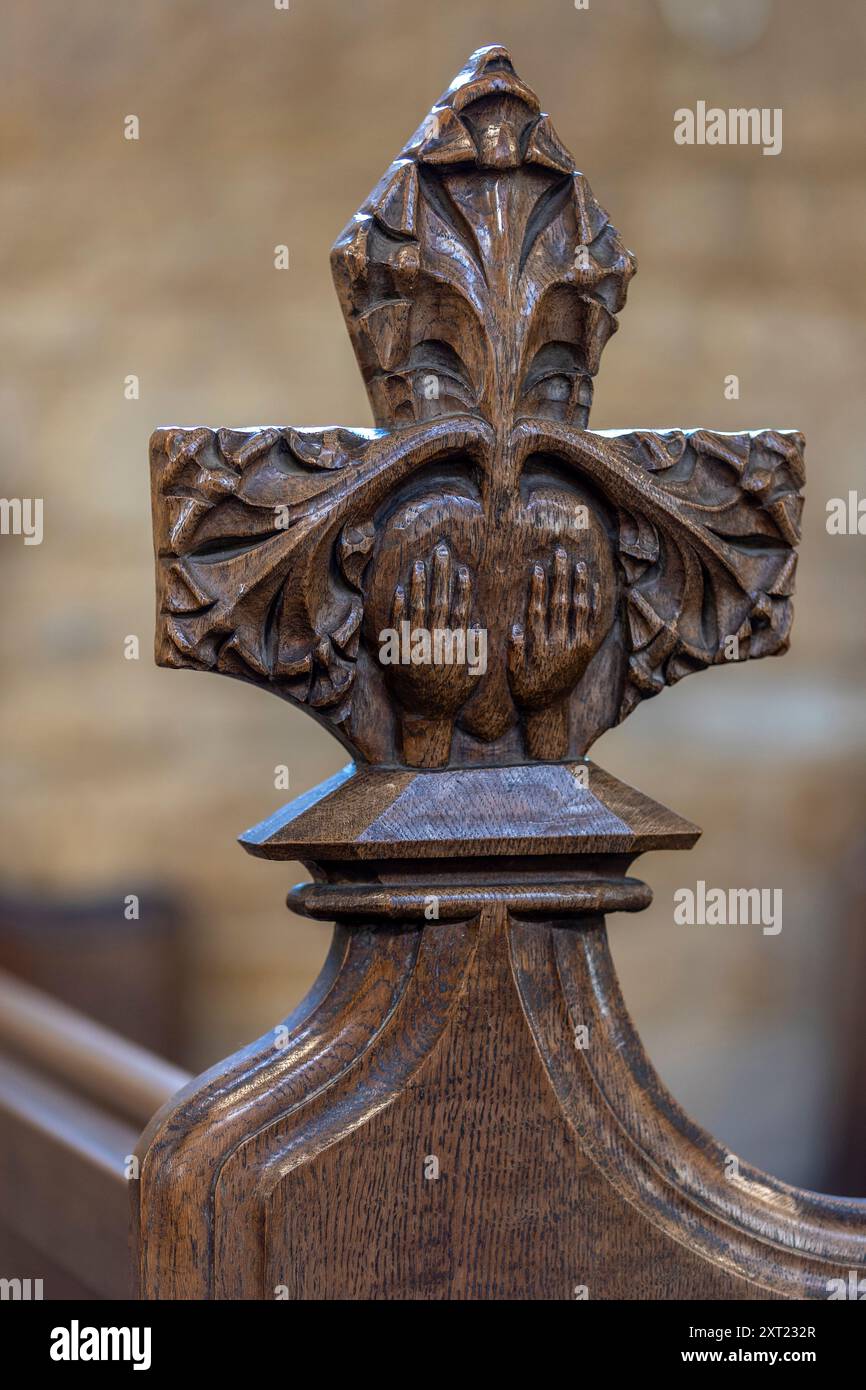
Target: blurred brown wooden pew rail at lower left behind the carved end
{"x":74,"y":1099}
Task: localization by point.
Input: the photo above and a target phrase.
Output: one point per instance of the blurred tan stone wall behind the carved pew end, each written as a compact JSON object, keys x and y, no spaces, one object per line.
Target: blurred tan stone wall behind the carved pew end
{"x":156,"y":258}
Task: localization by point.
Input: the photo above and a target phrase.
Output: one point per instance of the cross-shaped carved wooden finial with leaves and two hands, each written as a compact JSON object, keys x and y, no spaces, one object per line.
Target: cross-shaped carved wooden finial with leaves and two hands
{"x":578,"y":572}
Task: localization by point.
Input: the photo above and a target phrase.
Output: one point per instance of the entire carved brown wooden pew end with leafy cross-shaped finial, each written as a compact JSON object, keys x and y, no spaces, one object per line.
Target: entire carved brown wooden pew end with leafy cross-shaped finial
{"x":462,"y":1109}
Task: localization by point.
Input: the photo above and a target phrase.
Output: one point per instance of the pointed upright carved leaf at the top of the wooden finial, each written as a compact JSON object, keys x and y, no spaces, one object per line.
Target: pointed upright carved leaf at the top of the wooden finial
{"x":486,"y":244}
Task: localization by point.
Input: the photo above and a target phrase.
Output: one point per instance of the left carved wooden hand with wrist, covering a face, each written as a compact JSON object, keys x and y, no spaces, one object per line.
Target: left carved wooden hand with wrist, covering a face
{"x":433,"y":660}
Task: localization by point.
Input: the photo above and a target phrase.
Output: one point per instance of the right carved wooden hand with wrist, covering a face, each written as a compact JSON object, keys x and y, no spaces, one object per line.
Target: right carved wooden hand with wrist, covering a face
{"x":551,"y":653}
